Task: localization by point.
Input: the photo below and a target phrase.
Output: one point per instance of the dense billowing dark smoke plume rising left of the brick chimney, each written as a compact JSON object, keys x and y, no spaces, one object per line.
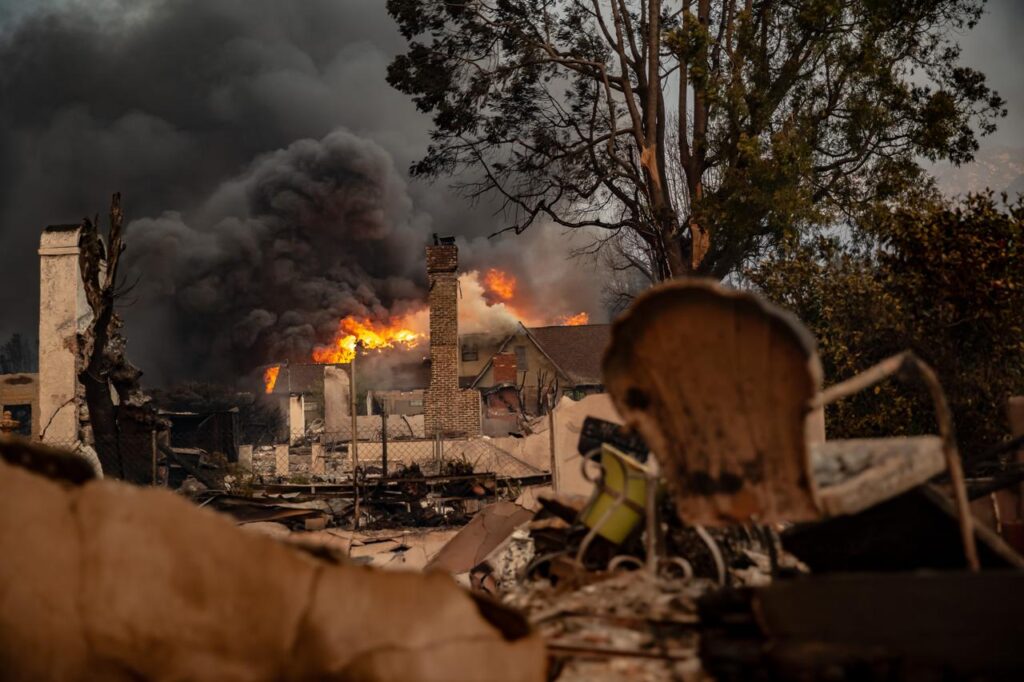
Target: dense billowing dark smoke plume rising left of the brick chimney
{"x":271,"y":262}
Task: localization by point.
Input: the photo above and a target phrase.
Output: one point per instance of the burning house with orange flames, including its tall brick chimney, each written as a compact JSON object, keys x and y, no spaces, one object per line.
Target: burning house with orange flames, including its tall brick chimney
{"x":481,"y":381}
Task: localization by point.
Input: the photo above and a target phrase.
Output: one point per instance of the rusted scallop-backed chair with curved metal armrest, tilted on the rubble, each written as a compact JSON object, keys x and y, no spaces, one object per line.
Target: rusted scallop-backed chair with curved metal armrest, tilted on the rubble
{"x":732,"y":425}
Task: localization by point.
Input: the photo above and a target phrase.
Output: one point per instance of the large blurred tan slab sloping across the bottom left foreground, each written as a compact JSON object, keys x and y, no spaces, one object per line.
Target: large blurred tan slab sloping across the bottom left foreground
{"x":107,"y":581}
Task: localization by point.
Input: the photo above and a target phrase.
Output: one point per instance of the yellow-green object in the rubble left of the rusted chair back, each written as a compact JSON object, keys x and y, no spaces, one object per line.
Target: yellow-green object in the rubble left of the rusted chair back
{"x":618,"y":505}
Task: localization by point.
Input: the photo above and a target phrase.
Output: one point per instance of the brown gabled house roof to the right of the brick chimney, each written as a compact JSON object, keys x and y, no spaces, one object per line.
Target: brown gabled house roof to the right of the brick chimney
{"x":576,"y":352}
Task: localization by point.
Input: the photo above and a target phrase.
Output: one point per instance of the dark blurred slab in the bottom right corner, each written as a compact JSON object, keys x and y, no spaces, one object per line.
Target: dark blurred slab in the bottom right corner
{"x":952,"y":626}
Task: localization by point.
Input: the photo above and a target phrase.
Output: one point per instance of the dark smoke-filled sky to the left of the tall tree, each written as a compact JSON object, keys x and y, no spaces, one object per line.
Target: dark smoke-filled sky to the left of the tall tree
{"x":263,"y":159}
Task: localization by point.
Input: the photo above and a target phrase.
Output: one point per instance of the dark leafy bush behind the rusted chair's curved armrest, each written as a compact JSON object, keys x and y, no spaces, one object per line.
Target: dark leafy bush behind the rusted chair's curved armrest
{"x":945,"y":280}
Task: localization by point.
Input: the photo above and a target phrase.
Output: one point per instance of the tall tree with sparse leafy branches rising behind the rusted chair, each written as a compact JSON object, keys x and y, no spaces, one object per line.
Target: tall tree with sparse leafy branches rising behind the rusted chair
{"x":706,"y":132}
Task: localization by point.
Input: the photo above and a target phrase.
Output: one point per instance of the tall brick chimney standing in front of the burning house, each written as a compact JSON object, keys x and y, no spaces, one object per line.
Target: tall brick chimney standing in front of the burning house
{"x":448,"y":410}
